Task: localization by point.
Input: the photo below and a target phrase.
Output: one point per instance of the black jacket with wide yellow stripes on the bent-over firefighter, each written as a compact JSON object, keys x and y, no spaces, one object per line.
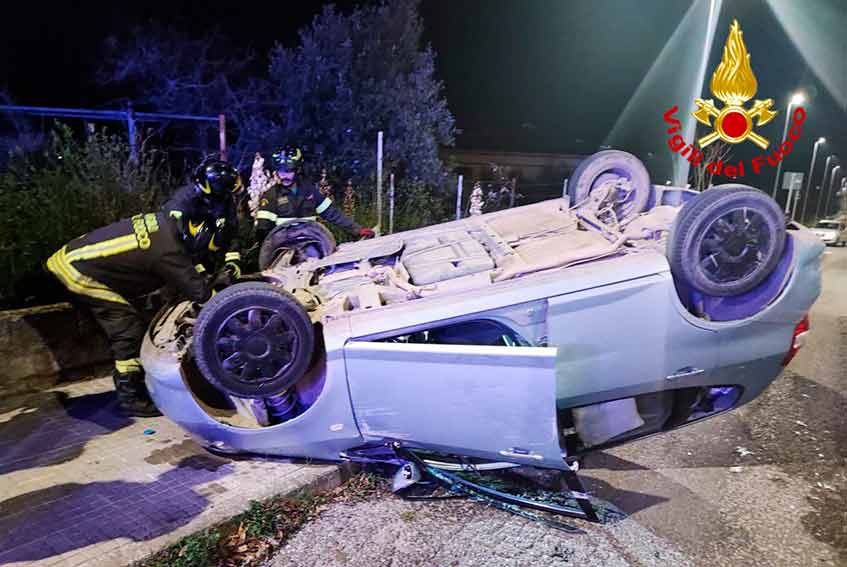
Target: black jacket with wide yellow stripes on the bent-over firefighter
{"x":127,"y":259}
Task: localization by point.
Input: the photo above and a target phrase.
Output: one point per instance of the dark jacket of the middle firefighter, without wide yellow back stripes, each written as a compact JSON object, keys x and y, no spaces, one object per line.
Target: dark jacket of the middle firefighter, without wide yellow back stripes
{"x":188,"y":205}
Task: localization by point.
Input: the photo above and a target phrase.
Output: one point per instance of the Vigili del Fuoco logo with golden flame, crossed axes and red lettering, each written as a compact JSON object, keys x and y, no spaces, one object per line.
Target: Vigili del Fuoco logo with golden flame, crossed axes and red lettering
{"x":734,"y":84}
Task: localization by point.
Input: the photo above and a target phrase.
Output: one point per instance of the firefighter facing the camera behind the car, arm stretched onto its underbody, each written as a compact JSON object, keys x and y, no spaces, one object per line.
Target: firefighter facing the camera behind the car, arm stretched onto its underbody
{"x":293,"y":197}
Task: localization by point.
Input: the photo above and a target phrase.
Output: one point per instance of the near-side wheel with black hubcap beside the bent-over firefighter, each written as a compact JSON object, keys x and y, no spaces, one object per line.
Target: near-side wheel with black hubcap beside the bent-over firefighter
{"x":253,"y":340}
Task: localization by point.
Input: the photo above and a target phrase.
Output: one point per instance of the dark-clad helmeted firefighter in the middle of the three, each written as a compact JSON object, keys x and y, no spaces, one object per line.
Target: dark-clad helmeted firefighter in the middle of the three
{"x":210,"y":201}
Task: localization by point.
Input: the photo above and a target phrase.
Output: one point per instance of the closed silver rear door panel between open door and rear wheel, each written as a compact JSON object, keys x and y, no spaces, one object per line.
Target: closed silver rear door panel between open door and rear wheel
{"x":625,"y":339}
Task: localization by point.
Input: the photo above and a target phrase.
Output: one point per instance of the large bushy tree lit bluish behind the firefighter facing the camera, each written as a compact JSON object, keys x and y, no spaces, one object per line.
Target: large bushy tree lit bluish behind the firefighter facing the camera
{"x":353,"y":75}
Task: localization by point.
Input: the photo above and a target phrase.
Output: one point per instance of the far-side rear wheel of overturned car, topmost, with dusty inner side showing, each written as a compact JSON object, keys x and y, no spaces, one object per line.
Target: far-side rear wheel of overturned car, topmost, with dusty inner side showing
{"x":612,"y":166}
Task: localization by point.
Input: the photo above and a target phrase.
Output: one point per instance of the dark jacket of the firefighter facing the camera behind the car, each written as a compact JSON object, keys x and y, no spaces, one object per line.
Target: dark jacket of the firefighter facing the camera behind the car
{"x":300,"y":201}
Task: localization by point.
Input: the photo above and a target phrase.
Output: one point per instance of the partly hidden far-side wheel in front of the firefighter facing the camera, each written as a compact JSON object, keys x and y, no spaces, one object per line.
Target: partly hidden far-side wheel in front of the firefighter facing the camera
{"x":304,"y":239}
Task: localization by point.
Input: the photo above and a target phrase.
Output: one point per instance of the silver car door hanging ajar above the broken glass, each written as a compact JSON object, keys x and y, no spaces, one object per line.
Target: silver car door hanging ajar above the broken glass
{"x":492,"y":402}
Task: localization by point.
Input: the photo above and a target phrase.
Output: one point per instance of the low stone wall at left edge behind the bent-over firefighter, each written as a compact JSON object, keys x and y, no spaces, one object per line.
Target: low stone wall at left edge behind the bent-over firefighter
{"x":43,"y":346}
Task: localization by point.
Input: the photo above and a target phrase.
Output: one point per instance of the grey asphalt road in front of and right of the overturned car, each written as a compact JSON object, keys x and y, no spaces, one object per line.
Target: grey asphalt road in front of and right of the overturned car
{"x":765,"y":486}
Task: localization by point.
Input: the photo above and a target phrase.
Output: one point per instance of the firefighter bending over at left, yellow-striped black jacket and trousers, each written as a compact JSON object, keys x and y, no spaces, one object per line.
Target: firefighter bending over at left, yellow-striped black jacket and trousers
{"x":113,"y":265}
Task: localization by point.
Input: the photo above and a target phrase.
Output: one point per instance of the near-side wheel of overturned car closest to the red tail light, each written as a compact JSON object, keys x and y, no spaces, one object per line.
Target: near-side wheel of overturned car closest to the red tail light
{"x":726,"y":240}
